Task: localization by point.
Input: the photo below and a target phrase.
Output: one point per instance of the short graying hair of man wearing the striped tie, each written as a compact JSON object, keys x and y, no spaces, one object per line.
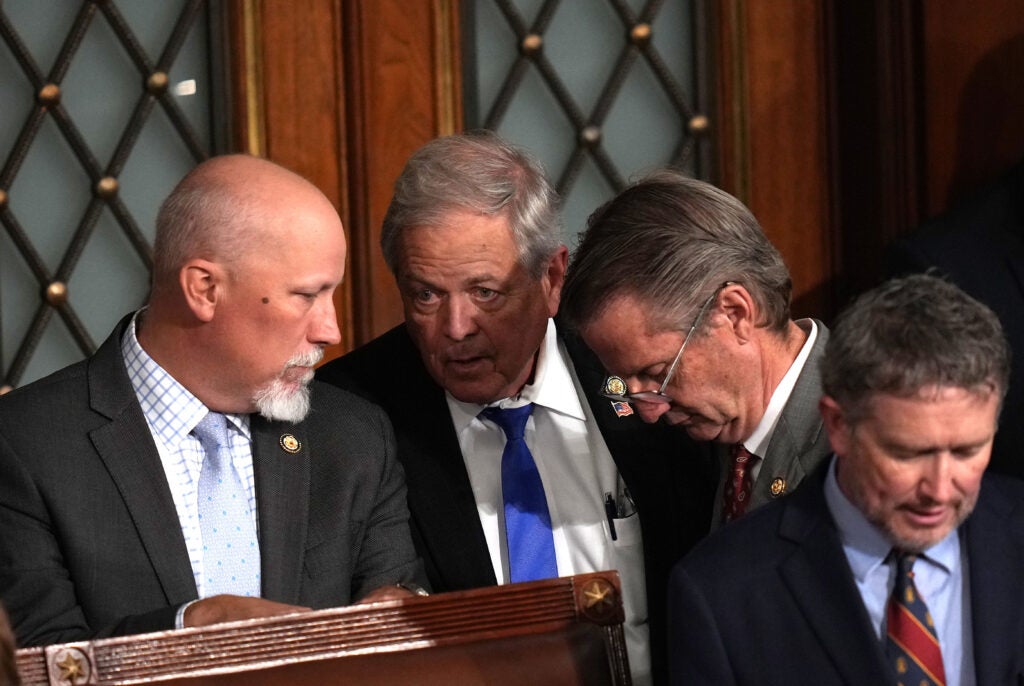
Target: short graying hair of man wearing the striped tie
{"x":912,"y":334}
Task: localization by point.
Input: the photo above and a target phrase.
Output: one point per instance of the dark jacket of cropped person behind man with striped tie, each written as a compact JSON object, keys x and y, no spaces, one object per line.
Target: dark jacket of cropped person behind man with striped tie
{"x":979,"y":245}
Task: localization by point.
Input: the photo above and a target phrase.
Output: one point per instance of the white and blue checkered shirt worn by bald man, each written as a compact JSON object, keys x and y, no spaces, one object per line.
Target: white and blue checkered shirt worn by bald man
{"x":173,"y":413}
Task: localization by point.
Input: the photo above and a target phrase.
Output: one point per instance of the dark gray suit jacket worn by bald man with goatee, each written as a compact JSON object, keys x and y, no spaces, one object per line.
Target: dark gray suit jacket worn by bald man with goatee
{"x":91,"y":543}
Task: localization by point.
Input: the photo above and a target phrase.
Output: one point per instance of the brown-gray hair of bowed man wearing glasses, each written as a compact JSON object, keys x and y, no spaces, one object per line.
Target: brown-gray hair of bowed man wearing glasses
{"x":670,"y":241}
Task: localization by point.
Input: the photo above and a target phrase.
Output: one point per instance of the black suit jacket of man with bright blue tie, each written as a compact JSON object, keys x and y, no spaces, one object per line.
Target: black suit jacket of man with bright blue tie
{"x":672,"y":483}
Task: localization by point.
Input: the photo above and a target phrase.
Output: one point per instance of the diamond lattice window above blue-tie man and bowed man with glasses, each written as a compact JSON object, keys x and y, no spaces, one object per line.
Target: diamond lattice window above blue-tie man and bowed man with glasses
{"x":601,"y":91}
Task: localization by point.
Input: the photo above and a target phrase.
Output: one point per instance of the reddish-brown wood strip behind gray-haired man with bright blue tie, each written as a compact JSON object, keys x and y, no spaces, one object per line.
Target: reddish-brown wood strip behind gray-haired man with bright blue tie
{"x":404,"y":90}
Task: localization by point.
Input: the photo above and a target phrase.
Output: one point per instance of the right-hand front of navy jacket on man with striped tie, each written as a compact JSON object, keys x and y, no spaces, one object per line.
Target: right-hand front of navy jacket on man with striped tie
{"x":996,"y":554}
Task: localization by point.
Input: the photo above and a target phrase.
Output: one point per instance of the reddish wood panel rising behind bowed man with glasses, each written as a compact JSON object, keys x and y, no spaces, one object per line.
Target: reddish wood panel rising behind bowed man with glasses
{"x":775,"y":123}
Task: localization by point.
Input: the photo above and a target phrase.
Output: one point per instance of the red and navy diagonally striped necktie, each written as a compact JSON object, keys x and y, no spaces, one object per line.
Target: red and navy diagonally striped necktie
{"x":912,"y":642}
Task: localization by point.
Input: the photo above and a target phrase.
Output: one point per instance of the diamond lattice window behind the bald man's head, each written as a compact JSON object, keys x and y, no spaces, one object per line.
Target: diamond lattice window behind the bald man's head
{"x":105,"y":107}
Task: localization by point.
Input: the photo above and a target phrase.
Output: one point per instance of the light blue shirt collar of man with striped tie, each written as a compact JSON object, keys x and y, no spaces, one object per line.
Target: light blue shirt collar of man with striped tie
{"x":866,"y":545}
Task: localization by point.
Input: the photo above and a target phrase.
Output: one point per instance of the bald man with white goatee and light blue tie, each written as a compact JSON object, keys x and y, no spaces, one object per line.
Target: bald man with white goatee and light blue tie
{"x":106,"y":482}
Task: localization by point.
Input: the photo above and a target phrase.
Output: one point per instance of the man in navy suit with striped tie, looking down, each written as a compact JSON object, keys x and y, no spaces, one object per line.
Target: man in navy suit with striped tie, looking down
{"x":877,"y":572}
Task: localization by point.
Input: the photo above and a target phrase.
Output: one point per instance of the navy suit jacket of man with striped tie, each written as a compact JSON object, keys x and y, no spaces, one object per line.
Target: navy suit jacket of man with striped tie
{"x":772,"y":599}
